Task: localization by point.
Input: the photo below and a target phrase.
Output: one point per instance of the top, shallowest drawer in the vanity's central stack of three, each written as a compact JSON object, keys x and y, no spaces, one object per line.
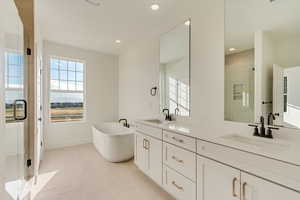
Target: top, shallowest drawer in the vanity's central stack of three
{"x":180,"y":140}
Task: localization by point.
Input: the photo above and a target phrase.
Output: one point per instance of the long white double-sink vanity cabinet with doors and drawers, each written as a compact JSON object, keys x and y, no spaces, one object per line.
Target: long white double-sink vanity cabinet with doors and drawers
{"x":196,"y":169}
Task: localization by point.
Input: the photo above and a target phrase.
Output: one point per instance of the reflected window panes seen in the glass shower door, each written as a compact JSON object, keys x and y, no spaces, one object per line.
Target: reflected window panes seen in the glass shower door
{"x":14,"y":75}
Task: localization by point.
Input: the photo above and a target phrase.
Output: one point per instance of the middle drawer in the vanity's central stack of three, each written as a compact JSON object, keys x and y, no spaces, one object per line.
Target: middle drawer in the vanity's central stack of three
{"x":181,"y":160}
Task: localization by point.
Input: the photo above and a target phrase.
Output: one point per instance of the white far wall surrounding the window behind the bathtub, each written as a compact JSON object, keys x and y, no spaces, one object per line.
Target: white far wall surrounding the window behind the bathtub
{"x":101,"y":95}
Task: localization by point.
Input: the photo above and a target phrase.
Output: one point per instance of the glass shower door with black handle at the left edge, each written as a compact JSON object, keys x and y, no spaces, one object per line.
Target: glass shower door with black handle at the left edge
{"x":13,"y":107}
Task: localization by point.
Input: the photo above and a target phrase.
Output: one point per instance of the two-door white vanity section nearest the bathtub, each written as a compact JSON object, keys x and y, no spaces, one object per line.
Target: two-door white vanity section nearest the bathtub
{"x":148,"y":156}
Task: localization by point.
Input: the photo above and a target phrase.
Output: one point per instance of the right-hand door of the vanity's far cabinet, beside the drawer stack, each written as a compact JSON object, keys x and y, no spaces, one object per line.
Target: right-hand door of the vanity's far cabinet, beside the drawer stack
{"x":154,"y":147}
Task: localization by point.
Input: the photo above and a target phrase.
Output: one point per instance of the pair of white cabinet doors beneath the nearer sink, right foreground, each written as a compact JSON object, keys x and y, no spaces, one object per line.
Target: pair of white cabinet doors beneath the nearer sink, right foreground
{"x":220,"y":181}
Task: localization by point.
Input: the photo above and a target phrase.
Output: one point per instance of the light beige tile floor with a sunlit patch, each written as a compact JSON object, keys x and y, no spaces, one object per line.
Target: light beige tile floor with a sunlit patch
{"x":80,"y":173}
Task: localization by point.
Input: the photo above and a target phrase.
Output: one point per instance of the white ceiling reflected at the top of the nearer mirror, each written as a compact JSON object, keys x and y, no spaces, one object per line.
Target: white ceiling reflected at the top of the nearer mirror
{"x":244,"y":17}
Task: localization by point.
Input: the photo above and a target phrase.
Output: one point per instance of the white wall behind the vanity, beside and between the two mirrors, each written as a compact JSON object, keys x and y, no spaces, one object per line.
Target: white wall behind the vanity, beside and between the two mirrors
{"x":139,"y":70}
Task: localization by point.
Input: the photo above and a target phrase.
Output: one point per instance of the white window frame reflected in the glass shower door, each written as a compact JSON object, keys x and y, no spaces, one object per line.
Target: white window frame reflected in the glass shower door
{"x":22,"y":89}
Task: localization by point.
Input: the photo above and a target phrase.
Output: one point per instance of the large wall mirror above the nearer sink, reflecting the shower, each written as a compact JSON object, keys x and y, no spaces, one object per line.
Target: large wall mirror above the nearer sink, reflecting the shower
{"x":262,"y":61}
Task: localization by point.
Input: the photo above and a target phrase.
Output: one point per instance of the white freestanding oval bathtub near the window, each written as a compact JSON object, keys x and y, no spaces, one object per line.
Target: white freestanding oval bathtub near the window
{"x":114,"y":142}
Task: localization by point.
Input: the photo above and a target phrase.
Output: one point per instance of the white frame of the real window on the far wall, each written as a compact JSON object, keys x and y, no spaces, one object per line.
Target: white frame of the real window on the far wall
{"x":83,"y":120}
